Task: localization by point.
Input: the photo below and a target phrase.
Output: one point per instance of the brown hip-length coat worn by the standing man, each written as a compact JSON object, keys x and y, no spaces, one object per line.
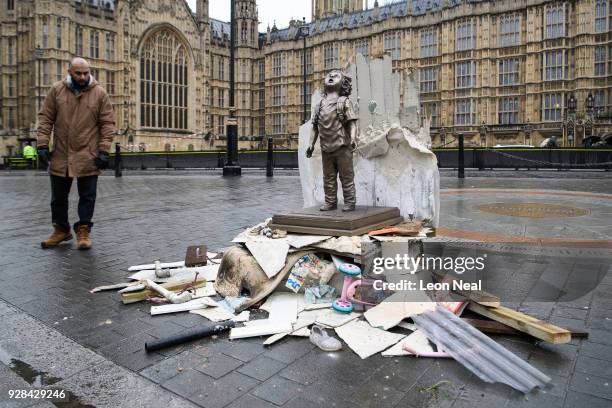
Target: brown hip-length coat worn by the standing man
{"x":83,"y":124}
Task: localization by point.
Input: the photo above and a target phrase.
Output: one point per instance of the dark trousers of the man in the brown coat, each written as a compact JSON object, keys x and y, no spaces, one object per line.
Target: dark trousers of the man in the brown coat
{"x":60,"y":189}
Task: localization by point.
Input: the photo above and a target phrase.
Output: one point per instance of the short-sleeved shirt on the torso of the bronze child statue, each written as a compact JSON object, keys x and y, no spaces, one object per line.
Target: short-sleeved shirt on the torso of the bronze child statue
{"x":332,"y":126}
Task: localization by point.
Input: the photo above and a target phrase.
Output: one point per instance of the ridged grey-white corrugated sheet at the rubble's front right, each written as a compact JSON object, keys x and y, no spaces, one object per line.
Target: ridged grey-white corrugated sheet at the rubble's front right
{"x":477,"y":352}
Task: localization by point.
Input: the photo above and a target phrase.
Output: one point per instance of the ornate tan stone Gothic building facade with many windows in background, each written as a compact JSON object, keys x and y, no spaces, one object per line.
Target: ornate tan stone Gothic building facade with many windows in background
{"x":500,"y":72}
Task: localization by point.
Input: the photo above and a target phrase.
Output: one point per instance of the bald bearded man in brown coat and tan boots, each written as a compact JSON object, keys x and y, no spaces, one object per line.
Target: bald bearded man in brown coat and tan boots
{"x":78,"y":111}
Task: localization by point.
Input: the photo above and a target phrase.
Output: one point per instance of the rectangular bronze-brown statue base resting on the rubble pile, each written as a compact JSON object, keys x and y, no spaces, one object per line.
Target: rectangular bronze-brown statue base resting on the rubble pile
{"x":336,"y":223}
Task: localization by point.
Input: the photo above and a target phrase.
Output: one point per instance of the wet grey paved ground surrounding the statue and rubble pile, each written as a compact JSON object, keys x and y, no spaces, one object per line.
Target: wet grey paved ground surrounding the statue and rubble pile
{"x":156,"y":215}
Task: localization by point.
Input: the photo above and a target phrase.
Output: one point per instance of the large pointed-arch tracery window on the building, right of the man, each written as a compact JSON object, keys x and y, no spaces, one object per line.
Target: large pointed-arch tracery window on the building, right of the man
{"x":163,"y":82}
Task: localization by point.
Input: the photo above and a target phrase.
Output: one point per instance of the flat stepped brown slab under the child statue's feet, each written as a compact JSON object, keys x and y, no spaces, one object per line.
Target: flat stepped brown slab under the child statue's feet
{"x":313,"y":217}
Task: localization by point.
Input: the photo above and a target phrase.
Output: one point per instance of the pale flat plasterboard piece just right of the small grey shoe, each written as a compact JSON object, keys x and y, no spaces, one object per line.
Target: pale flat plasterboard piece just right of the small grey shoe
{"x":366,"y":340}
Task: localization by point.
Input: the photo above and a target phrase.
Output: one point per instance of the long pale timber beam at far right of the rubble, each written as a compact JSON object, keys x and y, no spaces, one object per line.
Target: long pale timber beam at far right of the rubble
{"x":524,"y":323}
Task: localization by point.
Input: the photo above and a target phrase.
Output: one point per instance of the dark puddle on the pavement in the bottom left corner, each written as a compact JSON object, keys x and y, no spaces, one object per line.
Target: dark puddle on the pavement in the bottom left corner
{"x":41,"y":379}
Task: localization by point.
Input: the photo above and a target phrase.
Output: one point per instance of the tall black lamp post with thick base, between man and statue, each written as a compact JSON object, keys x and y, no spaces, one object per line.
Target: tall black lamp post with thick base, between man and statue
{"x":232,"y":167}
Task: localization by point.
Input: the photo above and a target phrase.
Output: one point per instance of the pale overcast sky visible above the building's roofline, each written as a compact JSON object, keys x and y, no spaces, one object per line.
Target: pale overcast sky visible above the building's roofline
{"x":280,"y":11}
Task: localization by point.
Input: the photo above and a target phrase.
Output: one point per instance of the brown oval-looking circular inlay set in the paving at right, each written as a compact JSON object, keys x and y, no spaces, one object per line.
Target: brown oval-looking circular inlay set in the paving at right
{"x":533,"y":210}
